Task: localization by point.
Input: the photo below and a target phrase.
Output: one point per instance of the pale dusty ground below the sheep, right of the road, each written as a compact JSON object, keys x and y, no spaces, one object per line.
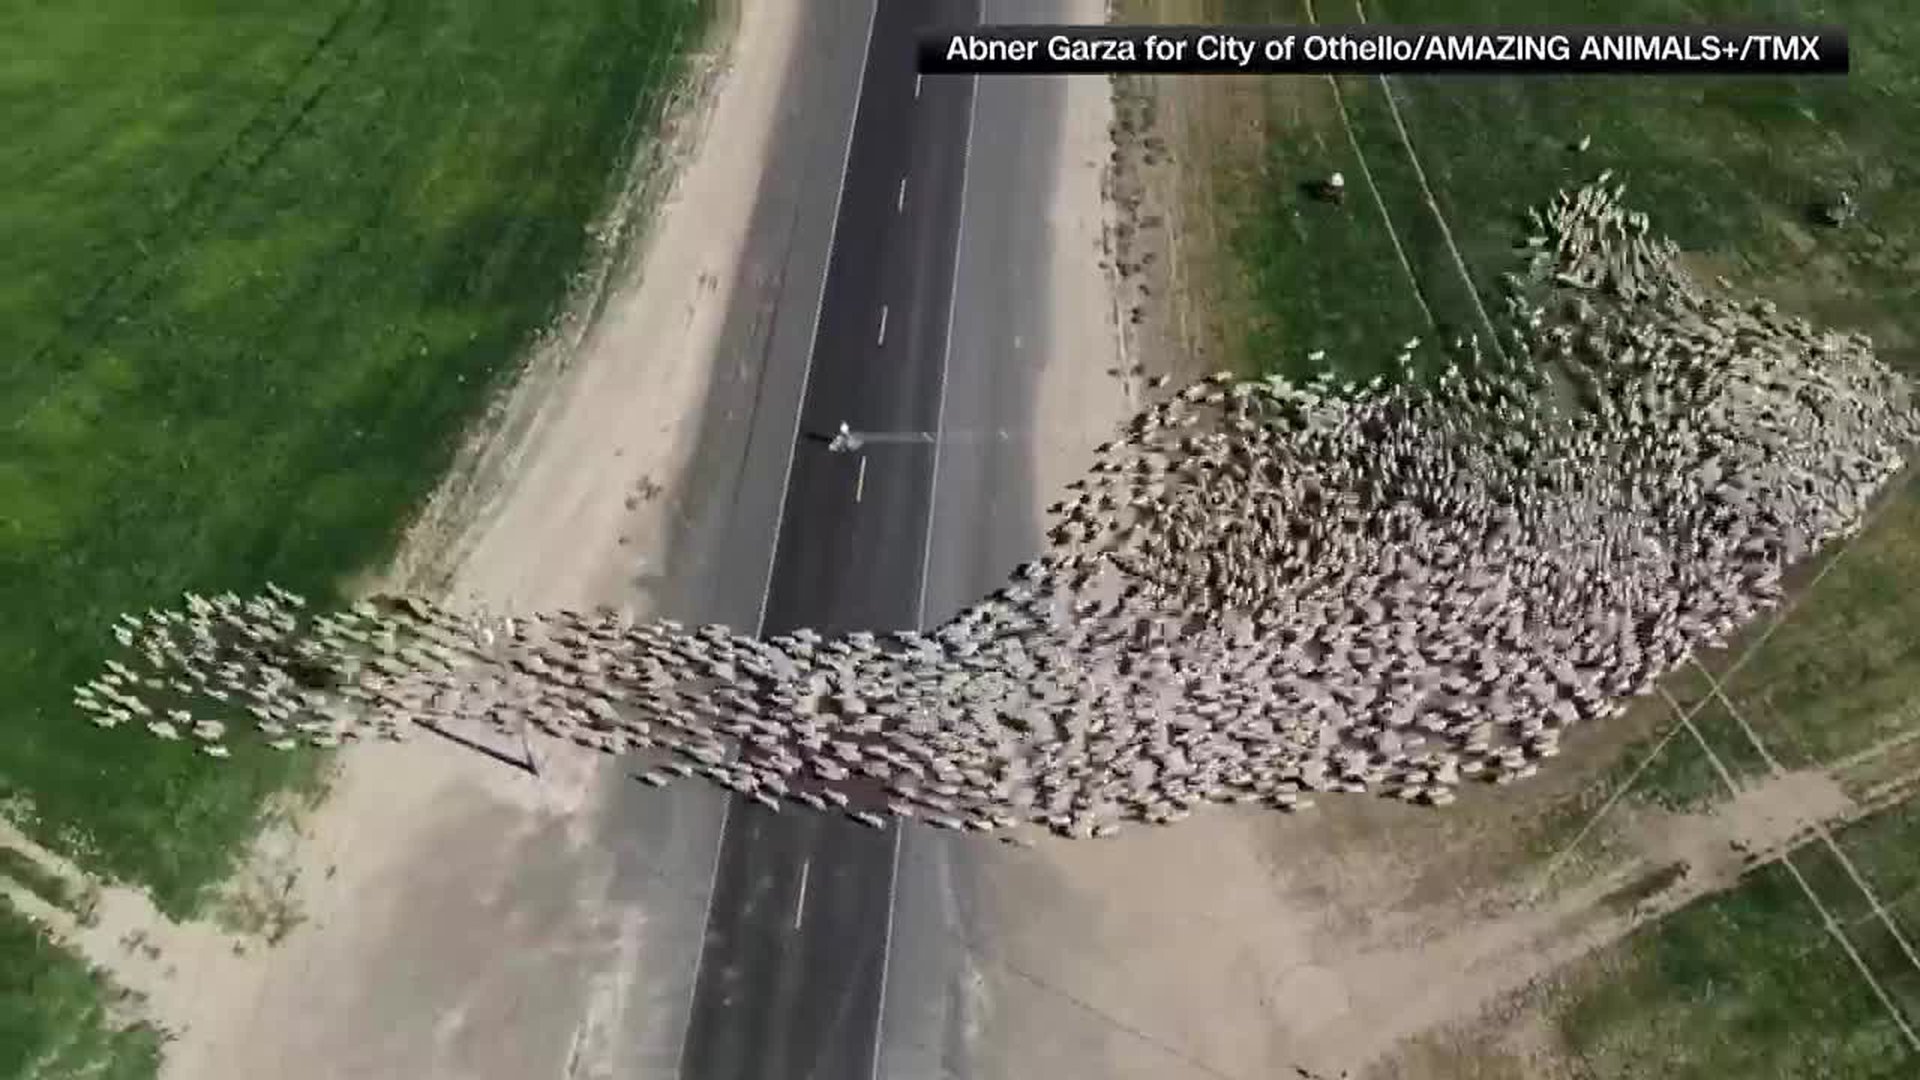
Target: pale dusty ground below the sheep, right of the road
{"x":1249,"y":945}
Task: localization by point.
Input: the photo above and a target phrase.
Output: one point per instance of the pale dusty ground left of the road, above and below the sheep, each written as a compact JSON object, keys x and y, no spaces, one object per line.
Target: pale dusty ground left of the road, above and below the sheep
{"x":437,"y":898}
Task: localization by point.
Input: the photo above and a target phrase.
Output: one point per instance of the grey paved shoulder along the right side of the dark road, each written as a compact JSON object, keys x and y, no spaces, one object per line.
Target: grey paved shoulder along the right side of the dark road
{"x":984,"y":524}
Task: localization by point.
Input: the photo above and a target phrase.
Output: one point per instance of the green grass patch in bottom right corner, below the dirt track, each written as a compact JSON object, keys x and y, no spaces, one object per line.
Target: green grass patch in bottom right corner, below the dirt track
{"x":1752,"y":983}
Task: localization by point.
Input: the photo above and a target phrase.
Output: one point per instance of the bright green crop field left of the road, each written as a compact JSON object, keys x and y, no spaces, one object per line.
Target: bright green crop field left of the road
{"x":262,"y":268}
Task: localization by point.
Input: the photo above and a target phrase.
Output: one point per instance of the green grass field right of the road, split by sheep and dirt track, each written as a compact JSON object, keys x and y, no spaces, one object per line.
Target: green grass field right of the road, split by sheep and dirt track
{"x":1746,"y":983}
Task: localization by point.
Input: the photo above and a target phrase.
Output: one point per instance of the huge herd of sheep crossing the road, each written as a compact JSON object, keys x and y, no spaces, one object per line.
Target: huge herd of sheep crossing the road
{"x":1260,"y":593}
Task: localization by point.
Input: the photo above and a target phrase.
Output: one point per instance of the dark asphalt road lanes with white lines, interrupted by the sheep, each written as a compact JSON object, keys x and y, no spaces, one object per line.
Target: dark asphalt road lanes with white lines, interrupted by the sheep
{"x":792,"y":977}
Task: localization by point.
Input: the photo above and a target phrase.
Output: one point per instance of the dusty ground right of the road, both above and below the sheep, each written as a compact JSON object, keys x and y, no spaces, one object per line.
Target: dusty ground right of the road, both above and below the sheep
{"x":1253,"y":945}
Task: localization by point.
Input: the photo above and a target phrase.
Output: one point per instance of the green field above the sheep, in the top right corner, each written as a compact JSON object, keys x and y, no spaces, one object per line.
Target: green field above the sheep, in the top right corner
{"x":1727,"y":166}
